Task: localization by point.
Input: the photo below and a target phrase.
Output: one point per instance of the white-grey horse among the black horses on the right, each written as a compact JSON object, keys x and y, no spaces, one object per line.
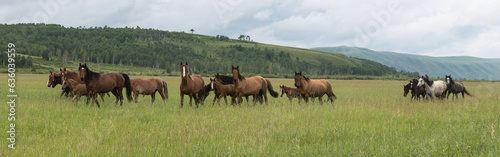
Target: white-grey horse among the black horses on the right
{"x":432,"y":88}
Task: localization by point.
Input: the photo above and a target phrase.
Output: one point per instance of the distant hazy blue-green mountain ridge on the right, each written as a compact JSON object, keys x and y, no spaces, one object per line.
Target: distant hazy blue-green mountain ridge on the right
{"x":462,"y":67}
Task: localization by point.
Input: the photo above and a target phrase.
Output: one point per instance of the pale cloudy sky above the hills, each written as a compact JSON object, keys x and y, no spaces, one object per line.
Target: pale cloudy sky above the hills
{"x":424,"y":27}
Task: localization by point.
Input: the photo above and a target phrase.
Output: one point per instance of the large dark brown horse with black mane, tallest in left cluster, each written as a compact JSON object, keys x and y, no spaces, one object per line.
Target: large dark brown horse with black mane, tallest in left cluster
{"x":112,"y":82}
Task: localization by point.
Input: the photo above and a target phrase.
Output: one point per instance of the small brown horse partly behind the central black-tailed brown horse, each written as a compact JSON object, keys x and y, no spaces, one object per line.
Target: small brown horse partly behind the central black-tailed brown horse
{"x":221,"y":90}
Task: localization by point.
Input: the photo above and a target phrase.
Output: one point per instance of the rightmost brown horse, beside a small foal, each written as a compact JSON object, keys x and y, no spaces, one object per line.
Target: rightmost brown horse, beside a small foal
{"x":313,"y":88}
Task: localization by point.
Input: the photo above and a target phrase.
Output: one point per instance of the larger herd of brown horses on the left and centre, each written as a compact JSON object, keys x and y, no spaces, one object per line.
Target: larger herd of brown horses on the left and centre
{"x":86,"y":82}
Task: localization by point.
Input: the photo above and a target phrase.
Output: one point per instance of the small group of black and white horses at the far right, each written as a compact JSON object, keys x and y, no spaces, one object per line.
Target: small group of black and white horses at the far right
{"x":434,"y":89}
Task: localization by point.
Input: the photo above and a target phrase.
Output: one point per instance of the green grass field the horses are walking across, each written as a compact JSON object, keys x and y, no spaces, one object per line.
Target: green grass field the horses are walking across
{"x":369,"y":118}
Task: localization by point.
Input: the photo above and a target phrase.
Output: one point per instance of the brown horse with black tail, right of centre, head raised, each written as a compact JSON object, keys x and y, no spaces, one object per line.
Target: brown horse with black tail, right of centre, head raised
{"x":251,"y":86}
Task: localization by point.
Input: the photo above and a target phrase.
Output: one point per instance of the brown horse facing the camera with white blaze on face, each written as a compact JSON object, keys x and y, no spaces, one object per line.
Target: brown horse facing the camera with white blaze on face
{"x":192,"y":85}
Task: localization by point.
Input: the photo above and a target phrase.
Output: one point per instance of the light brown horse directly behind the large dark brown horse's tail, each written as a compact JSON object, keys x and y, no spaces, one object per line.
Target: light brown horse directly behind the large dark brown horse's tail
{"x":149,"y":87}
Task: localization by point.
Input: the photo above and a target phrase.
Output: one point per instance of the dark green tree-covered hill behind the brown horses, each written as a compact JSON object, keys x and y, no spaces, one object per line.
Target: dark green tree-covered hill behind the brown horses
{"x":51,"y":46}
